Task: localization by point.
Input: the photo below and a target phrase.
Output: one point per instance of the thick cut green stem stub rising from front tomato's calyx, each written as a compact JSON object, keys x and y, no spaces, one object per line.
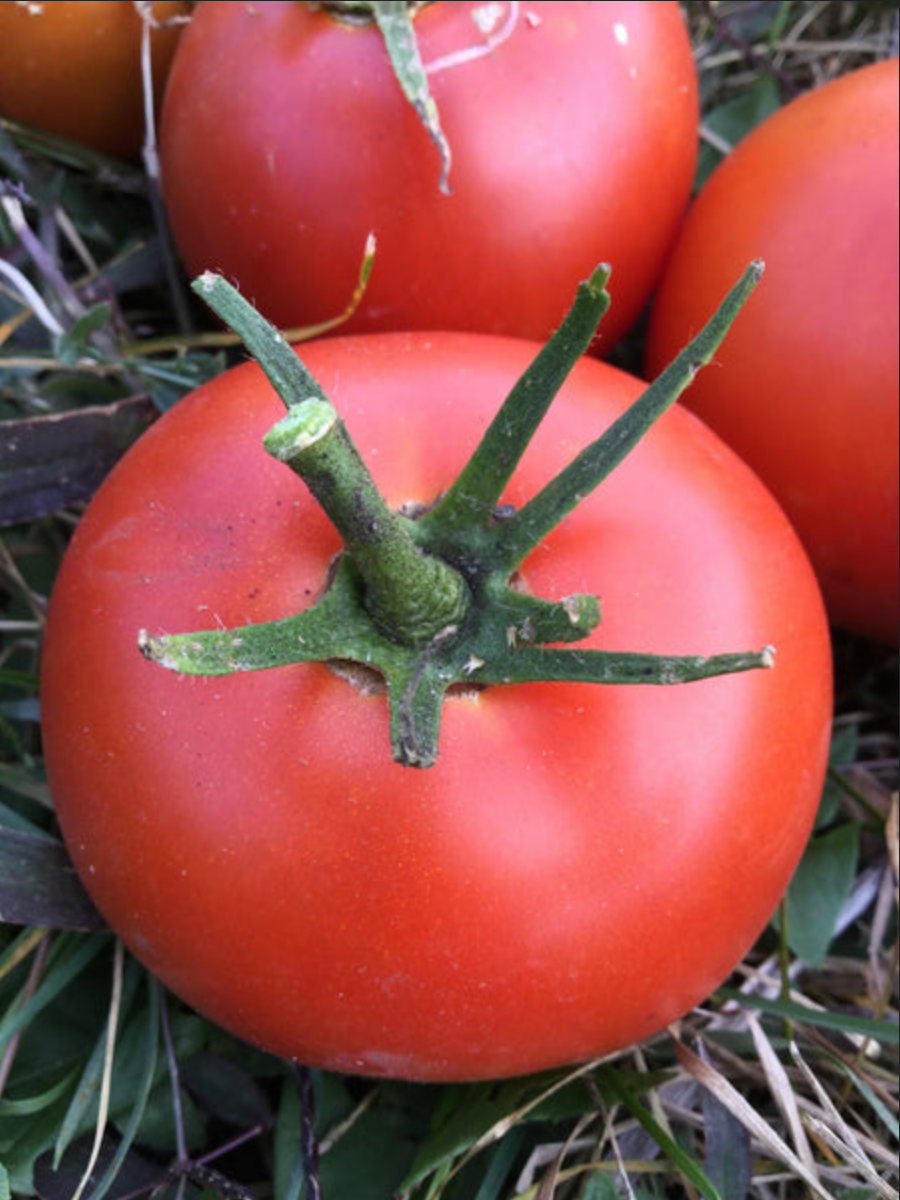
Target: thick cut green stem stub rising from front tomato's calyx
{"x":411,"y":596}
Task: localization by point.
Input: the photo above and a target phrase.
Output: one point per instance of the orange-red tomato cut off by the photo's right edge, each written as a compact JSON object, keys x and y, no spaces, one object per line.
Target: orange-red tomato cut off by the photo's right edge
{"x":808,"y":386}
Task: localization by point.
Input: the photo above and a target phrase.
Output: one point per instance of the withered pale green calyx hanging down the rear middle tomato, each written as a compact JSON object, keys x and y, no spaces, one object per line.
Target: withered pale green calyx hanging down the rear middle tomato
{"x":395,"y":25}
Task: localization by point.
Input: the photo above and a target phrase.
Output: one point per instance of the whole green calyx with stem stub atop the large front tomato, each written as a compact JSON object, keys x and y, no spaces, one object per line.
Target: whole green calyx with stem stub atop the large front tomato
{"x":433,"y":604}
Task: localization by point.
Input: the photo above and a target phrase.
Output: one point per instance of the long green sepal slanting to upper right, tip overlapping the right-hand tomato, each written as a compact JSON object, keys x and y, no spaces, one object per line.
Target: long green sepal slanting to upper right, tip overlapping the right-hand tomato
{"x":529,"y":527}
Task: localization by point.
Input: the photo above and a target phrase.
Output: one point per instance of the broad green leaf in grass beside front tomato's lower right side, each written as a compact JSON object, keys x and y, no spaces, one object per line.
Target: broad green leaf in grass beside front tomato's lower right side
{"x":820,"y":890}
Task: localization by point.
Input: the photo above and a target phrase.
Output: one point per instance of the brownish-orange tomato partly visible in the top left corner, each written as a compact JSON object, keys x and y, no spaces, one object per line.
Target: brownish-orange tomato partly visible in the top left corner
{"x":74,"y":68}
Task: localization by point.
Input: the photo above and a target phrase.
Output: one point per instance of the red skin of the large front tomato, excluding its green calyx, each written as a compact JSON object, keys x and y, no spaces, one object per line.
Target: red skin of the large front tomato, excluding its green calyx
{"x":537,"y":897}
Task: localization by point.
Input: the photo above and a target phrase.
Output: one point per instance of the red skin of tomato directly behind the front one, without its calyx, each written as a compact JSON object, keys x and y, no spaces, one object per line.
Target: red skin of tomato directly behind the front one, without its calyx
{"x":286,"y":141}
